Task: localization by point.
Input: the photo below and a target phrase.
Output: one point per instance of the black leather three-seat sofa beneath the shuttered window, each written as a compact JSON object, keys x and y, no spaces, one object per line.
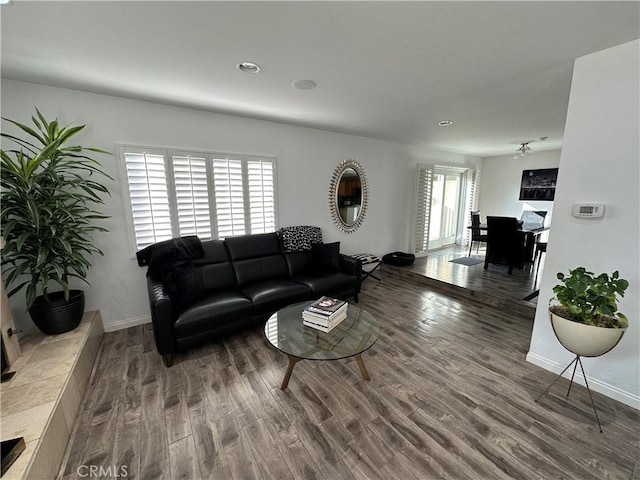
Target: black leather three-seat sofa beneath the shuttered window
{"x":238,"y":283}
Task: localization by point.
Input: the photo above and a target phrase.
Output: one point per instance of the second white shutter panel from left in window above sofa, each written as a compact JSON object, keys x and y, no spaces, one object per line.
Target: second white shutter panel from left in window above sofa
{"x":192,"y":195}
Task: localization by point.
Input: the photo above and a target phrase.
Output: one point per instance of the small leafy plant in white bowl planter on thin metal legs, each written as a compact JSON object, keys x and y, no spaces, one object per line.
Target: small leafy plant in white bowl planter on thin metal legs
{"x":587,"y":321}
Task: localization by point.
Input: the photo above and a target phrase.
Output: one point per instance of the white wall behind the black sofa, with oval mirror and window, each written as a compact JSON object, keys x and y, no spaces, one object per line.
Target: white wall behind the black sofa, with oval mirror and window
{"x":306,"y":160}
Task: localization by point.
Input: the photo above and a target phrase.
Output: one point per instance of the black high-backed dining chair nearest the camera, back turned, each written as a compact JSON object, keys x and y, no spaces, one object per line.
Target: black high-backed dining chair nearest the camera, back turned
{"x":505,"y":243}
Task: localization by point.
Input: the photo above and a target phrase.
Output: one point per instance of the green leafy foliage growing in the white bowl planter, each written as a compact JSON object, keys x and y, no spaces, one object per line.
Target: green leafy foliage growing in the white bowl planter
{"x":591,"y":299}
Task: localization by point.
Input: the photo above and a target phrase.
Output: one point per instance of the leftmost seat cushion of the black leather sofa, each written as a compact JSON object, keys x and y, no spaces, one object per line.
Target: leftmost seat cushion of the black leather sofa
{"x":212,"y":311}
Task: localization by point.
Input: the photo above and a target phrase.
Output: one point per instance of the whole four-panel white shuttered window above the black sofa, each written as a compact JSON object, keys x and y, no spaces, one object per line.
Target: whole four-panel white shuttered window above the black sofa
{"x":177,"y":193}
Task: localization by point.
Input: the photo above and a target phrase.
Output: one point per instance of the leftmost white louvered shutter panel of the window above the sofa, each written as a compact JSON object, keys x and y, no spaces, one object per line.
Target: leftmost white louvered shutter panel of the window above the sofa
{"x":149,"y":198}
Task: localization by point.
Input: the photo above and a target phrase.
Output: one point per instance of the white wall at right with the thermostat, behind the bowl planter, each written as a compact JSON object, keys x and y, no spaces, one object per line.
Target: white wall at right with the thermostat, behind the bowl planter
{"x":600,"y":163}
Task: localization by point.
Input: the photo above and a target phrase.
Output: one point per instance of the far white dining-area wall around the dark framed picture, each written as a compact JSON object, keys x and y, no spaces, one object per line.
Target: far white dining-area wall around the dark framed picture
{"x":500,"y":184}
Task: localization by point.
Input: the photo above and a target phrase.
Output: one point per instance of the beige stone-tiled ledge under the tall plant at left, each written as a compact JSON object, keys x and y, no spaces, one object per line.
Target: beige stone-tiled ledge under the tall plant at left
{"x":41,"y":402}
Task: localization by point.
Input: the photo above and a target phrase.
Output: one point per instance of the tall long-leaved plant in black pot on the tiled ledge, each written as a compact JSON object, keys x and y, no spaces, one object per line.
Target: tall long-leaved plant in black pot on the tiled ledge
{"x":49,"y":193}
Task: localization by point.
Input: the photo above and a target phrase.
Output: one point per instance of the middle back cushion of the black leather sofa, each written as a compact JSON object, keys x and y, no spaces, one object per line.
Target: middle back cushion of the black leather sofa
{"x":256,"y":258}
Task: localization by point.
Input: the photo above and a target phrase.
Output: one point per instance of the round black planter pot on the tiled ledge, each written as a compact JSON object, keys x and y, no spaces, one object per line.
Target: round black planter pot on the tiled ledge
{"x":58,"y":315}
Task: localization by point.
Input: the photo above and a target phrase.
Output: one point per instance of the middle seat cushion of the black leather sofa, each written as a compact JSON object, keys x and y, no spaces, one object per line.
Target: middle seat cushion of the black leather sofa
{"x":271,"y":295}
